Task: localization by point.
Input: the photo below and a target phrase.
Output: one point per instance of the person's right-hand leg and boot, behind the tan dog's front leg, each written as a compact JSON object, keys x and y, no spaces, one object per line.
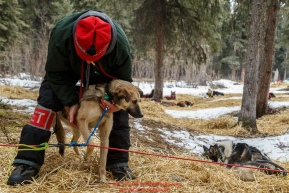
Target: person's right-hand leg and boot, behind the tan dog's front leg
{"x":117,"y":161}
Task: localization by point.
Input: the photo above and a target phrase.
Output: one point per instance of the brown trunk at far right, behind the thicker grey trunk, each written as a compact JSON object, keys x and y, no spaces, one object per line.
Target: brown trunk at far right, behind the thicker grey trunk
{"x":265,"y":68}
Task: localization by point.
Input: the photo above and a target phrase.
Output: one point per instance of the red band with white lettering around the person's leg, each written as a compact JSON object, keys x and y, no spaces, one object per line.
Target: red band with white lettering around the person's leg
{"x":42,"y":118}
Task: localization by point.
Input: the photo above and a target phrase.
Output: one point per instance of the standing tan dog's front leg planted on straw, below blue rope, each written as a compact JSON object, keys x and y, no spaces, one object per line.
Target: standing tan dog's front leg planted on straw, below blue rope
{"x":104,"y":132}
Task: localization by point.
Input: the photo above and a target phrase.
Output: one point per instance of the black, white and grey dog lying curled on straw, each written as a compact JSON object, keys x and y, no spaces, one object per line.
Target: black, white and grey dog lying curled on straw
{"x":241,"y":154}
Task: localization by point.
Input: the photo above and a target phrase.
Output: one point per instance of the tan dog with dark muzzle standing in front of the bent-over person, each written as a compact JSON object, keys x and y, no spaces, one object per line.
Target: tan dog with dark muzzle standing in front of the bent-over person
{"x":121,"y":93}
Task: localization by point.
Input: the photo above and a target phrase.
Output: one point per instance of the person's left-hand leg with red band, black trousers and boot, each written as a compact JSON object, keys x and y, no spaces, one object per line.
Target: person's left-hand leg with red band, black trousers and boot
{"x":36,"y":132}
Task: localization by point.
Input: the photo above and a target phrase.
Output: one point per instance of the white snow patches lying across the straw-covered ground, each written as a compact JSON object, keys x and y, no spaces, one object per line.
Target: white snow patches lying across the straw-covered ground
{"x":269,"y":145}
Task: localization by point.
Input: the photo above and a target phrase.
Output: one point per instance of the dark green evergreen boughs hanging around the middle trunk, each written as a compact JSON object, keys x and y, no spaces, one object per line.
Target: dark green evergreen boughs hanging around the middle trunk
{"x":188,"y":26}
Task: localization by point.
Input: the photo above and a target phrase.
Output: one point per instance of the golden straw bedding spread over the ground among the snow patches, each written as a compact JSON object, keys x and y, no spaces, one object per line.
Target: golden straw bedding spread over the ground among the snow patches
{"x":154,"y":174}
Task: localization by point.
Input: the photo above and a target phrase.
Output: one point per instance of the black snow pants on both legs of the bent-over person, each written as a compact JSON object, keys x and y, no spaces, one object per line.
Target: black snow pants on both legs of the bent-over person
{"x":119,"y":136}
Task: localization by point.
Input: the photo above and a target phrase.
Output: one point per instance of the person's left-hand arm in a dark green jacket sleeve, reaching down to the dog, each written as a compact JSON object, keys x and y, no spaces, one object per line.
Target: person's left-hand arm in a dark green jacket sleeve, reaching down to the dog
{"x":60,"y":75}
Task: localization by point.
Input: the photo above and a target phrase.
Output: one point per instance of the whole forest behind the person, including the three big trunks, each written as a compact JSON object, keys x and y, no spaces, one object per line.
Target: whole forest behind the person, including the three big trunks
{"x":175,"y":40}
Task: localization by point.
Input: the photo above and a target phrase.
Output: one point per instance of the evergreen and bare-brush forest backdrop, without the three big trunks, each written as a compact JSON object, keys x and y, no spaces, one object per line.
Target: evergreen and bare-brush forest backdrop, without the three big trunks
{"x":216,"y":47}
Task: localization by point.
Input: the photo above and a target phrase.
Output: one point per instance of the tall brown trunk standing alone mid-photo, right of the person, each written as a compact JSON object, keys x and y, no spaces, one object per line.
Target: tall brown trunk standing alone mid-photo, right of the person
{"x":158,"y":93}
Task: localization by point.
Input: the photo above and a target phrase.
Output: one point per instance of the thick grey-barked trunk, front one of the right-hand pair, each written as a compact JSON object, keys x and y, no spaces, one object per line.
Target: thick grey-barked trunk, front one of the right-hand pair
{"x":247,"y":115}
